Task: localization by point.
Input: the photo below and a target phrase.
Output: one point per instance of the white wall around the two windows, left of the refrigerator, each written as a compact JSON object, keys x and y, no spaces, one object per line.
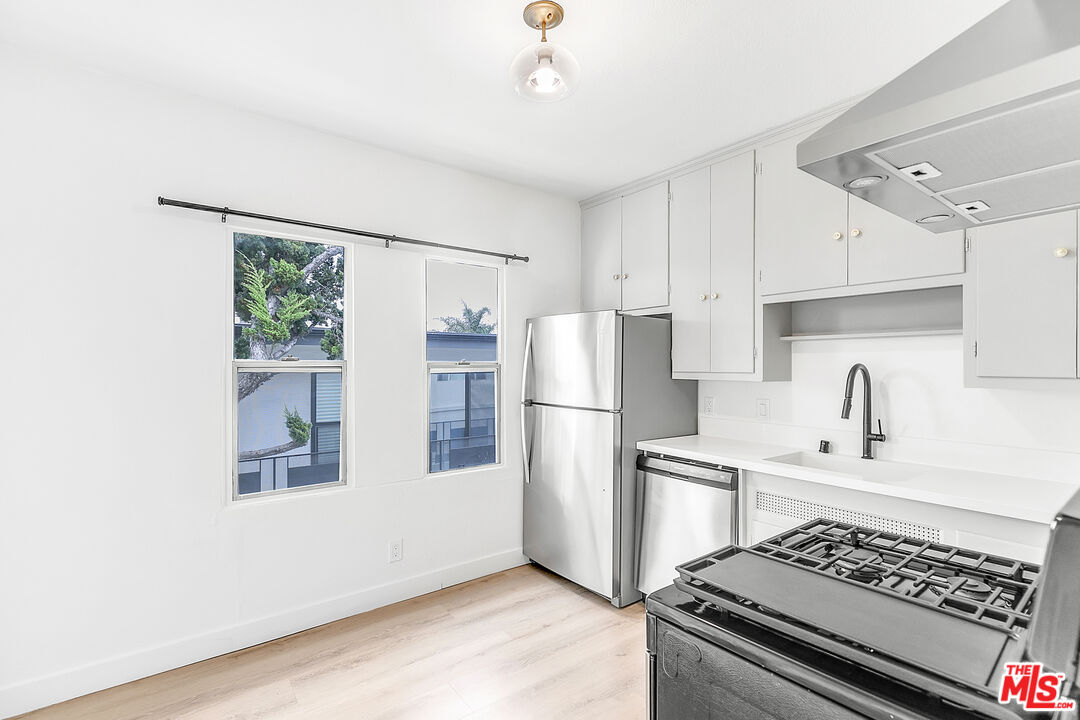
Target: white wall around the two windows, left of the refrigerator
{"x":119,"y":552}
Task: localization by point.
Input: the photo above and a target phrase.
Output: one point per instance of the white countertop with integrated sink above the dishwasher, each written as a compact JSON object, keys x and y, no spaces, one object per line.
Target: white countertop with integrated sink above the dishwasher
{"x":1007,"y":496}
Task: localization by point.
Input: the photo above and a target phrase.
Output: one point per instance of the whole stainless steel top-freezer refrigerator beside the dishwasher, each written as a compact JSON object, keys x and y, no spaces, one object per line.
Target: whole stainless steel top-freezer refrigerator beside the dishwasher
{"x":593,"y":386}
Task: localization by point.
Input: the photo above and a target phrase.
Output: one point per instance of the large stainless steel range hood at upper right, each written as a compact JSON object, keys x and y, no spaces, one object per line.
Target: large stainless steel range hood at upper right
{"x":985,"y":130}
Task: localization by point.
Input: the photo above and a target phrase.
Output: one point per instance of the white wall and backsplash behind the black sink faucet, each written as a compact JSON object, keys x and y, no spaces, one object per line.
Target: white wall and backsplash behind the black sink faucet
{"x":927,"y":414}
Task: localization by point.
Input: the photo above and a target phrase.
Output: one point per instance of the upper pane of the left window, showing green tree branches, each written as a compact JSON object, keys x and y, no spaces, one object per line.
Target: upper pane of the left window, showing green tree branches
{"x":289,"y":300}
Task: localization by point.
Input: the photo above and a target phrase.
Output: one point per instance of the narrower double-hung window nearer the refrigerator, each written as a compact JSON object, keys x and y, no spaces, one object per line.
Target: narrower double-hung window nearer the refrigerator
{"x":464,"y":369}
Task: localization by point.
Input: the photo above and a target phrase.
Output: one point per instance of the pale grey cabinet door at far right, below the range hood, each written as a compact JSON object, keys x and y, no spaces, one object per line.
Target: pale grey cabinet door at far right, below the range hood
{"x":1027,"y":297}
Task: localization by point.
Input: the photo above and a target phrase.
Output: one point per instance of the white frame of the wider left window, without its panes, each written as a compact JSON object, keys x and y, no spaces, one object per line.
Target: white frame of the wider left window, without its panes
{"x":236,"y":366}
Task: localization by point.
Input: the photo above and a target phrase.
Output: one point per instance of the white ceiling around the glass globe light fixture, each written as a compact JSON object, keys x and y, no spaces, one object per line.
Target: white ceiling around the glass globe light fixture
{"x":664,"y":81}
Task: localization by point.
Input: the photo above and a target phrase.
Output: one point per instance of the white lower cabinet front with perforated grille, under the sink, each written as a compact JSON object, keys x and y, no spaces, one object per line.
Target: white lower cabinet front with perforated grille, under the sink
{"x":772,"y":505}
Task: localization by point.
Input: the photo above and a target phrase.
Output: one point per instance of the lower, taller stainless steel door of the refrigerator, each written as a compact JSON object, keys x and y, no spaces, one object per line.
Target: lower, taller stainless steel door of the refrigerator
{"x":570,"y":497}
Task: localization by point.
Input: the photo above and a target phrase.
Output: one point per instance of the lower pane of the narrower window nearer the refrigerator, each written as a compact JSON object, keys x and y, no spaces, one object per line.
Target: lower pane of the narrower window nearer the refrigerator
{"x":463,"y":422}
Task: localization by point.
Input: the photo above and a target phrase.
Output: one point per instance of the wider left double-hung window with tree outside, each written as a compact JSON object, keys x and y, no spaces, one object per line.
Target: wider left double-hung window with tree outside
{"x":289,"y":365}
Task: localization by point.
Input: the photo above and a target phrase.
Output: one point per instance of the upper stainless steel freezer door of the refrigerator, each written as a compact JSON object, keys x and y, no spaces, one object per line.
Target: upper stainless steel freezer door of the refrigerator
{"x":575,"y":361}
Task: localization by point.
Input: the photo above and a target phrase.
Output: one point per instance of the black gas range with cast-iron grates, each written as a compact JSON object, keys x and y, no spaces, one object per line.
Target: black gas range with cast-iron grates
{"x":836,"y":621}
